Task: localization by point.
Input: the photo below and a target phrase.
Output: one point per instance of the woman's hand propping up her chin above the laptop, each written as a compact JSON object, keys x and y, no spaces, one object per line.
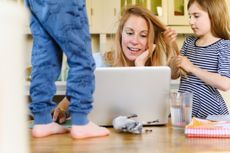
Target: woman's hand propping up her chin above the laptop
{"x":141,"y":59}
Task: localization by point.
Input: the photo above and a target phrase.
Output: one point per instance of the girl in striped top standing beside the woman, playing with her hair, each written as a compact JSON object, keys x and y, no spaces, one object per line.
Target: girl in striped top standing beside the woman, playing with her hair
{"x":206,"y":57}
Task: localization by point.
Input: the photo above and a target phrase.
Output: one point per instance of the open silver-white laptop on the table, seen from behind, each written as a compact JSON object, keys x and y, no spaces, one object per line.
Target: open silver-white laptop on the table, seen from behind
{"x":124,"y":91}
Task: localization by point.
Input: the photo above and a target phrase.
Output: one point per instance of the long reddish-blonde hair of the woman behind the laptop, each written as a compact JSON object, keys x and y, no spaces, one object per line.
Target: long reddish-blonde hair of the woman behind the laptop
{"x":161,"y":54}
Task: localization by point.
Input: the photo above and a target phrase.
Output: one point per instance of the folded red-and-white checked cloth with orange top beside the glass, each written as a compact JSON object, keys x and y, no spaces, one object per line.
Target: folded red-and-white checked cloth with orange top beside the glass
{"x":205,"y":128}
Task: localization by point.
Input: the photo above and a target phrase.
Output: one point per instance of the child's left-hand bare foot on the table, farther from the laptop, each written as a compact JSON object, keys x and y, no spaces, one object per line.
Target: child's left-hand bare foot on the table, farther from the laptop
{"x":43,"y":130}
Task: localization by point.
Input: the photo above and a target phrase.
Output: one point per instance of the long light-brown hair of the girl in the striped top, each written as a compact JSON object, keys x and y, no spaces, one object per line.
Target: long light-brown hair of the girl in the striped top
{"x":218,"y":14}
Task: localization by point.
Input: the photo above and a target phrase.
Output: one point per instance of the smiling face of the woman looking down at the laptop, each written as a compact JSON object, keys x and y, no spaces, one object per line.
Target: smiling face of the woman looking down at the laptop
{"x":134,"y":37}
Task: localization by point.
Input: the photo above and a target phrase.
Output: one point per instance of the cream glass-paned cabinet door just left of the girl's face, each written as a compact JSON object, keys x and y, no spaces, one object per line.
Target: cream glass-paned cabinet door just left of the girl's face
{"x":177,"y":12}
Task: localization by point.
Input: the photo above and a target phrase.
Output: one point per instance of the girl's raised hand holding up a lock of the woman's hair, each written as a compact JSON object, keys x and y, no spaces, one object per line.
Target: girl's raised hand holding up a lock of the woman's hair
{"x":169,"y":36}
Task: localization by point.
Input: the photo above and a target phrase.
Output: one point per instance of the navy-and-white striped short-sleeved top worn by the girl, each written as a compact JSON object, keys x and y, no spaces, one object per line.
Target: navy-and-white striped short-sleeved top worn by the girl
{"x":213,"y":58}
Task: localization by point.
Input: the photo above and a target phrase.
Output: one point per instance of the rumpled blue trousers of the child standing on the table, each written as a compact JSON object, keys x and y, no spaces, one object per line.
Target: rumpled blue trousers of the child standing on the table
{"x":60,"y":26}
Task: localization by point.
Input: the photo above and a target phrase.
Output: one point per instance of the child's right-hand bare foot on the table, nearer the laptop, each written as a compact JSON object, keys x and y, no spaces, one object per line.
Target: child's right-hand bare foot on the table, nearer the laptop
{"x":87,"y":131}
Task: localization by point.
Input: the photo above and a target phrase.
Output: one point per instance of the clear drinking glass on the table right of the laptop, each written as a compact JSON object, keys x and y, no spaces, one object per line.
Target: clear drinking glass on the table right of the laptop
{"x":181,"y":108}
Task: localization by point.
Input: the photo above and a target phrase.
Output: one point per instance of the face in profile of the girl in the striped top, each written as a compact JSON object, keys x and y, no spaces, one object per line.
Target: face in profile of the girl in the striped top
{"x":199,"y":20}
